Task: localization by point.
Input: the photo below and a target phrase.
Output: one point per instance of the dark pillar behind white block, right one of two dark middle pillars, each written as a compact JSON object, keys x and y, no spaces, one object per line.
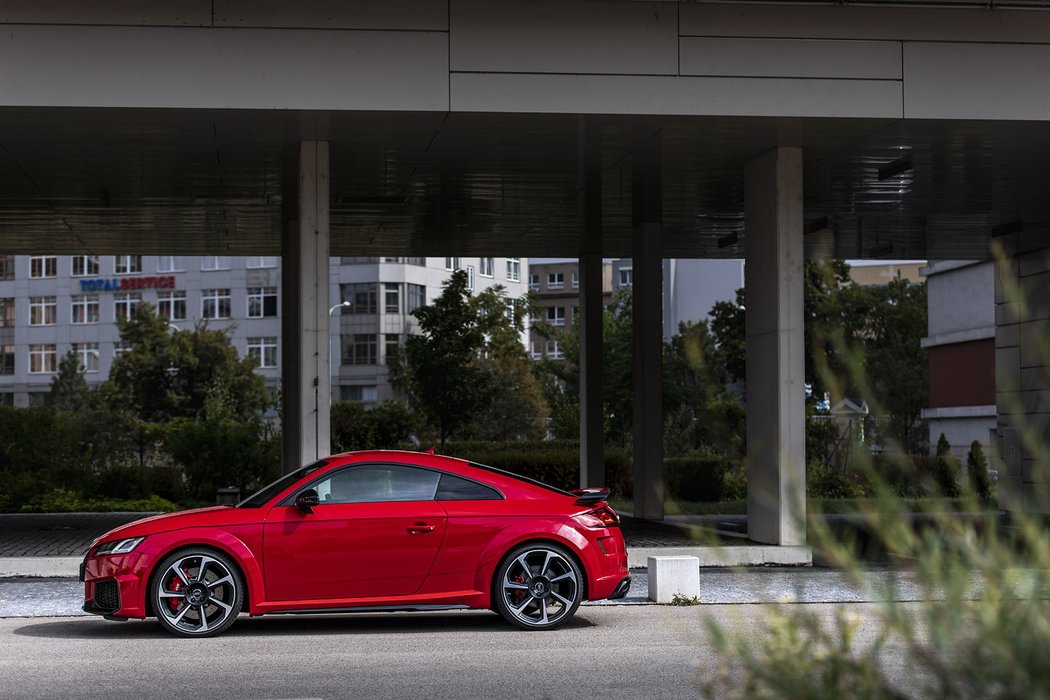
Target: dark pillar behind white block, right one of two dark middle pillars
{"x":648,"y":323}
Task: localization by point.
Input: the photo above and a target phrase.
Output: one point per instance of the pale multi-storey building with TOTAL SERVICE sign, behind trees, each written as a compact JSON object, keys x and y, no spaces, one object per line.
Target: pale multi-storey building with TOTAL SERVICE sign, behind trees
{"x":56,"y":304}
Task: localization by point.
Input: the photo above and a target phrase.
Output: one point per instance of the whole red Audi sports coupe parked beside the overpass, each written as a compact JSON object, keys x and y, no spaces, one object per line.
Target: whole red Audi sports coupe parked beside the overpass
{"x":367,"y":532}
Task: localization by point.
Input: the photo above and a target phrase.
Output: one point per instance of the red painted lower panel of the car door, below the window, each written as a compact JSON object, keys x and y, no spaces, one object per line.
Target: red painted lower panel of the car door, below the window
{"x":352,"y":550}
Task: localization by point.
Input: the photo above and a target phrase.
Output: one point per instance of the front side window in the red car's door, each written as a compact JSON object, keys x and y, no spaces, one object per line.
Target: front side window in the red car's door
{"x":377,"y":484}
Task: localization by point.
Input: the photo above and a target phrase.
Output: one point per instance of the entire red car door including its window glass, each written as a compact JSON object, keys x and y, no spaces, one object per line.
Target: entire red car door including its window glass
{"x":375,"y":534}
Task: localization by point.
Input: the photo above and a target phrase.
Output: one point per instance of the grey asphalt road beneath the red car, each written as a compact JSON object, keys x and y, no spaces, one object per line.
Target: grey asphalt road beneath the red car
{"x":608,"y":652}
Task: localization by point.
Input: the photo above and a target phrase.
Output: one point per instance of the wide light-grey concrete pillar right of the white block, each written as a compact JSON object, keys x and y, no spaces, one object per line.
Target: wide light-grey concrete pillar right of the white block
{"x":776,"y":384}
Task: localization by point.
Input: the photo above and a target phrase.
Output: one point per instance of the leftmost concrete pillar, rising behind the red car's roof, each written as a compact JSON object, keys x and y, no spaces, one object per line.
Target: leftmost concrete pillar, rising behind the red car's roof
{"x":306,"y":373}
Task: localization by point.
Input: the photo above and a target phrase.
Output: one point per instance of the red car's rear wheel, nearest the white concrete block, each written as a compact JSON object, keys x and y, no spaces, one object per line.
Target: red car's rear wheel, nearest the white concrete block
{"x":539,"y":587}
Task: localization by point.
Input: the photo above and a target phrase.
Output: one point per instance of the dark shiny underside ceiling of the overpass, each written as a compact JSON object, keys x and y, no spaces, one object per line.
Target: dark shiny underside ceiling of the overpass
{"x":211,"y":182}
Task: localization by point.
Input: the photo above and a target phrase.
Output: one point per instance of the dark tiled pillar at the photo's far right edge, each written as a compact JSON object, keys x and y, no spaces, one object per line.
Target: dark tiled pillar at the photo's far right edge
{"x":1023,"y":369}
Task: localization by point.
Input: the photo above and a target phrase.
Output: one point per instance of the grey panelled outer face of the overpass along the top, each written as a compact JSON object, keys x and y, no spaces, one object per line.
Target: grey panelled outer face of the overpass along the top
{"x":530,"y":56}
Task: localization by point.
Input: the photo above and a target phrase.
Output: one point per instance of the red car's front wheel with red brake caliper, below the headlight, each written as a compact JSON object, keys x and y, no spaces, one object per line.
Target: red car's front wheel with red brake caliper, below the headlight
{"x":197,"y":593}
